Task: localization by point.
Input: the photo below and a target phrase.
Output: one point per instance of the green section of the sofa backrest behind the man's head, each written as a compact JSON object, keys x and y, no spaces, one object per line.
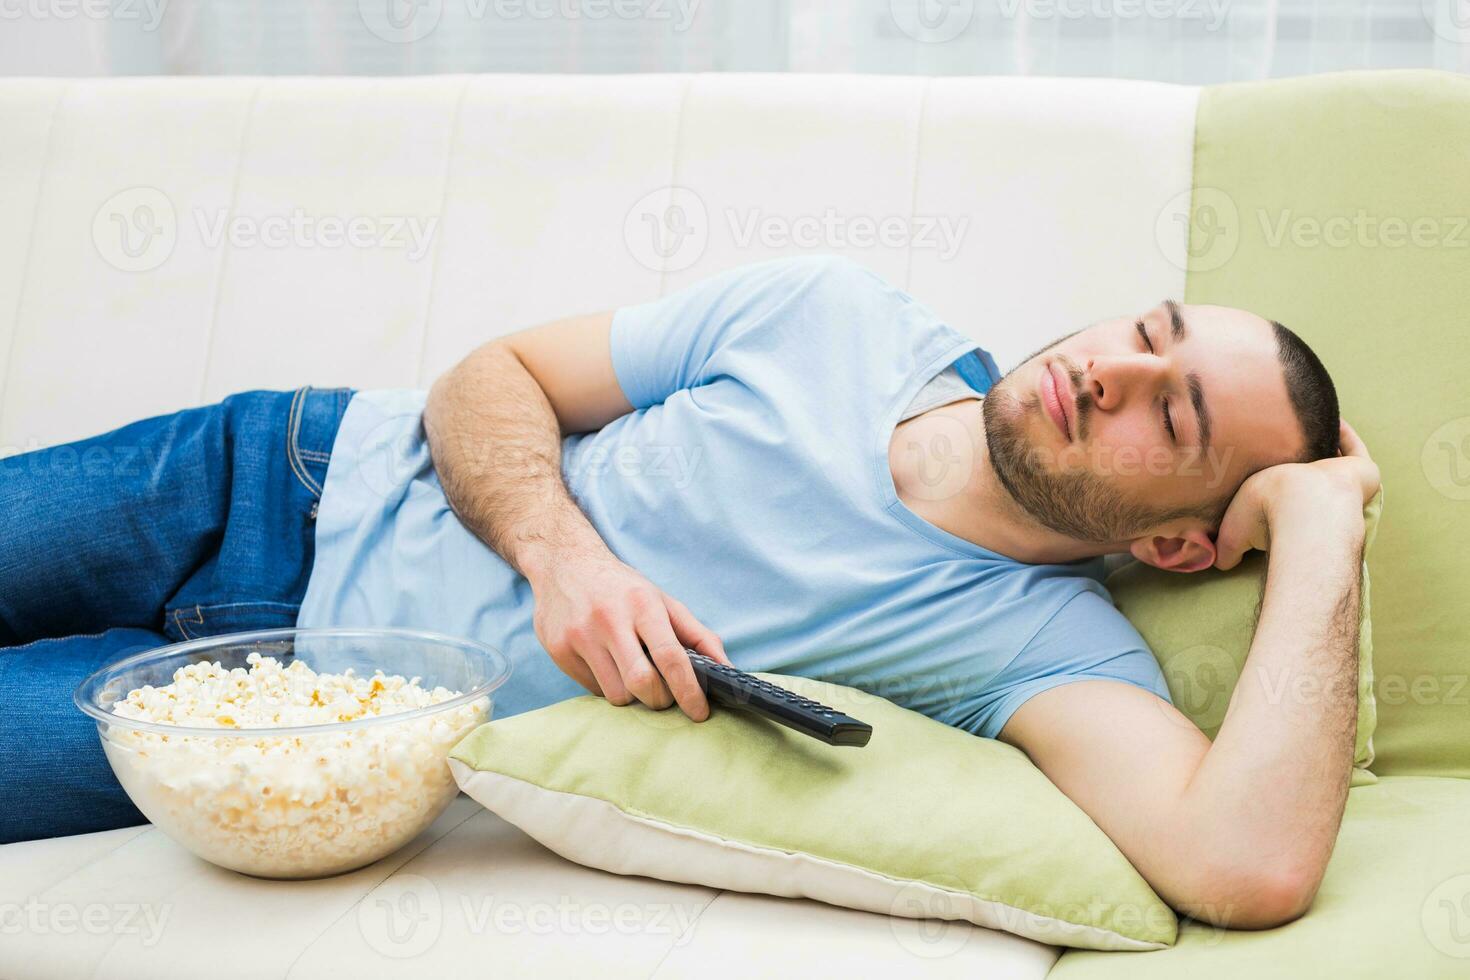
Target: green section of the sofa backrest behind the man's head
{"x":1340,"y":205}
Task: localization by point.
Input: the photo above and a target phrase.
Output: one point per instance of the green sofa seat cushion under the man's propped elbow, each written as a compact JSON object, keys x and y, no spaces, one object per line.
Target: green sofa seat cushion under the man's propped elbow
{"x":1396,"y":904}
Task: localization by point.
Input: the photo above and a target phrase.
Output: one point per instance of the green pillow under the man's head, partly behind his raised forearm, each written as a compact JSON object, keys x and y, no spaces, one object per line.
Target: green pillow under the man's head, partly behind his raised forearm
{"x":1200,"y":628}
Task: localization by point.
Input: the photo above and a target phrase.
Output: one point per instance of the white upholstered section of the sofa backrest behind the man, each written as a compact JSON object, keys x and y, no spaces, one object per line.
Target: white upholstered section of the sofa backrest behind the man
{"x":542,"y":198}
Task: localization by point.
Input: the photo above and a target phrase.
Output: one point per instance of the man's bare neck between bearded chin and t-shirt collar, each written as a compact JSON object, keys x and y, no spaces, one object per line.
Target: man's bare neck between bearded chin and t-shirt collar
{"x":983,"y":512}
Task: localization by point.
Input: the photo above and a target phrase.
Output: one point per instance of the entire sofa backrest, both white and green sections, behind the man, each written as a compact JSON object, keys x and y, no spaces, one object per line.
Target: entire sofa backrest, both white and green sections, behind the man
{"x":168,"y":242}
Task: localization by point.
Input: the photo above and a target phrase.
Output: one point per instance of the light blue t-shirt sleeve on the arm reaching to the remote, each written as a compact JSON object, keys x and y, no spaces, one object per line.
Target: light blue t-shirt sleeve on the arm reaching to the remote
{"x":684,"y":340}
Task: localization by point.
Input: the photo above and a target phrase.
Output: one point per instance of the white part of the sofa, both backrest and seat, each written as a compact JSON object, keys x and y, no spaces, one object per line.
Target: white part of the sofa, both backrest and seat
{"x":543,"y":196}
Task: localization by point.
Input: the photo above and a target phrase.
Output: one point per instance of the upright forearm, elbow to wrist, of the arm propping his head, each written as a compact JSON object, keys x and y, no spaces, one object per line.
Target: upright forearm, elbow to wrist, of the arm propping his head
{"x":1275,"y":781}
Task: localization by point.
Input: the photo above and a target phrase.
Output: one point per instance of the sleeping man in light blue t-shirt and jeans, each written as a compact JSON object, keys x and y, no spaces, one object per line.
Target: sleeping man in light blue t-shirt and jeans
{"x":799,"y":466}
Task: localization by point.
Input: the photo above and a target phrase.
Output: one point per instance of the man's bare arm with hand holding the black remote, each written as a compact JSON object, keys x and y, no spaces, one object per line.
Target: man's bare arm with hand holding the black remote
{"x":495,"y":425}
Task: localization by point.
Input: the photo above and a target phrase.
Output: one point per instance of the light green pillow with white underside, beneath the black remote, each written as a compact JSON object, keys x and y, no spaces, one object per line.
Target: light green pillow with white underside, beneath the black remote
{"x":925,"y":822}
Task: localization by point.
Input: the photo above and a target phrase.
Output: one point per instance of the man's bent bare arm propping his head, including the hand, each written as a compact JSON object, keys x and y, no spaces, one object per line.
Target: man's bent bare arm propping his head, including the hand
{"x":1237,"y":832}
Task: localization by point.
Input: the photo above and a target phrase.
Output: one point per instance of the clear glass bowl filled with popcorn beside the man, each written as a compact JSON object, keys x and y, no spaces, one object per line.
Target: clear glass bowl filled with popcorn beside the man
{"x":306,"y":800}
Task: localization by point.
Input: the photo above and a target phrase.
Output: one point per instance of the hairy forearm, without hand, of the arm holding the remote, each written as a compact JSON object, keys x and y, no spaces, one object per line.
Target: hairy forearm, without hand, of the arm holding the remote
{"x":498,"y":450}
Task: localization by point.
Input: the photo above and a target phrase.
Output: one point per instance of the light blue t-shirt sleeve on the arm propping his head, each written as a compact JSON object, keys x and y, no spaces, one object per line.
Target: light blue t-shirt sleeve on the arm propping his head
{"x":1086,"y":640}
